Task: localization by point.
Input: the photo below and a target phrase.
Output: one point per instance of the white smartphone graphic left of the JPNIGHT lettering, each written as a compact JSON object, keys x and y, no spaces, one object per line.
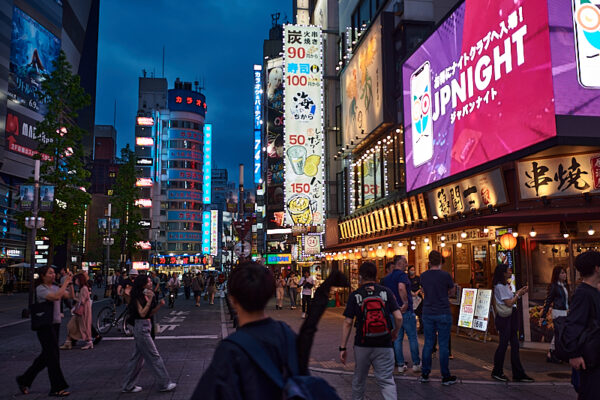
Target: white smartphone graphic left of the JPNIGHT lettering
{"x":422,"y":124}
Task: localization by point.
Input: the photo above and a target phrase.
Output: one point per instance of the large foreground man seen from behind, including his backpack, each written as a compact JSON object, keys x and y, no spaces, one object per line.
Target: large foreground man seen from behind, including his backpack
{"x":260,"y":358}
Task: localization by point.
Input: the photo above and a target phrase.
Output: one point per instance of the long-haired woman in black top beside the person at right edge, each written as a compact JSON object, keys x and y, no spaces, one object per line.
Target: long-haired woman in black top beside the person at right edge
{"x":558,"y":299}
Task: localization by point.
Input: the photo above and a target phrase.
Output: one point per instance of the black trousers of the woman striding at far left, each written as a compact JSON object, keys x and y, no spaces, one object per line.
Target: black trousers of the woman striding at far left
{"x":50,"y":358}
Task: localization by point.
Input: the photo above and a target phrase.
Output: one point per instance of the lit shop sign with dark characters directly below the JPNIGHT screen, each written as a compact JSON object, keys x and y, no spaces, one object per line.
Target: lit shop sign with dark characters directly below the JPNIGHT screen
{"x":473,"y":193}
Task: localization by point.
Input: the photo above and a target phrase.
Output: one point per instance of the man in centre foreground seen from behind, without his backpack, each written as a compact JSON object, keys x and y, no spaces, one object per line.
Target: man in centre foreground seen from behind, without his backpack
{"x":232,"y":374}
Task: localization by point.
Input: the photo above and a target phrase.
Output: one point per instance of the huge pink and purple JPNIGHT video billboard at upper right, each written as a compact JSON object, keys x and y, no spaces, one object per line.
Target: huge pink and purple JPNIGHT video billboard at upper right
{"x":491,"y":80}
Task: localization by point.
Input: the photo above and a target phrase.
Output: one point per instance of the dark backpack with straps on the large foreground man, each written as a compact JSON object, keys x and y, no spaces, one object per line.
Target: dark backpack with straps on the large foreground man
{"x":293,"y":385}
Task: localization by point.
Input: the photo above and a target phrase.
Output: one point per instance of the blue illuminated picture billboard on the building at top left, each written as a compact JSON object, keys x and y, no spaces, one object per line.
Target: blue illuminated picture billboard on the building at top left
{"x":33,"y":49}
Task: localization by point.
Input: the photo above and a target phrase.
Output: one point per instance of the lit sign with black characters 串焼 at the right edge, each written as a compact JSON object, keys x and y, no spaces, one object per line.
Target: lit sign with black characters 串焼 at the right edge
{"x":559,"y":176}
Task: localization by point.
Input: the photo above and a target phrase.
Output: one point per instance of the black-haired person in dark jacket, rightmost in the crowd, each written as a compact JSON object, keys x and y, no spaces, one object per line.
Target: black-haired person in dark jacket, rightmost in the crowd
{"x":585,"y":307}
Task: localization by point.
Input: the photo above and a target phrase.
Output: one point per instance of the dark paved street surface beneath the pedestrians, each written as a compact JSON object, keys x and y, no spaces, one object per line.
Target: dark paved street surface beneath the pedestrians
{"x":190,"y":335}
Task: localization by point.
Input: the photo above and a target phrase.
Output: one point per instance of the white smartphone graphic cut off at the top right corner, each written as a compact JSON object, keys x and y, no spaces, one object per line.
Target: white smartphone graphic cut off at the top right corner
{"x":586,"y":20}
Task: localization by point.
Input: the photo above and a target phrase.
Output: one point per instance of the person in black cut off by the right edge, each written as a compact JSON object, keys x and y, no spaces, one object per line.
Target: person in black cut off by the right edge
{"x":580,"y":335}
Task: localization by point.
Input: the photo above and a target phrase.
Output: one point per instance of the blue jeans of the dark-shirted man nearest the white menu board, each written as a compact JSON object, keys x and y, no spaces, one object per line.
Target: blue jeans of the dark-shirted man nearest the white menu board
{"x":439,"y":325}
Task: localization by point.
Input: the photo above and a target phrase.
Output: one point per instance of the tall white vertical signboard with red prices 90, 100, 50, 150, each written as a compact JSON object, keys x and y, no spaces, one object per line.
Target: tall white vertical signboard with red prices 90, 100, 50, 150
{"x":303,"y":92}
